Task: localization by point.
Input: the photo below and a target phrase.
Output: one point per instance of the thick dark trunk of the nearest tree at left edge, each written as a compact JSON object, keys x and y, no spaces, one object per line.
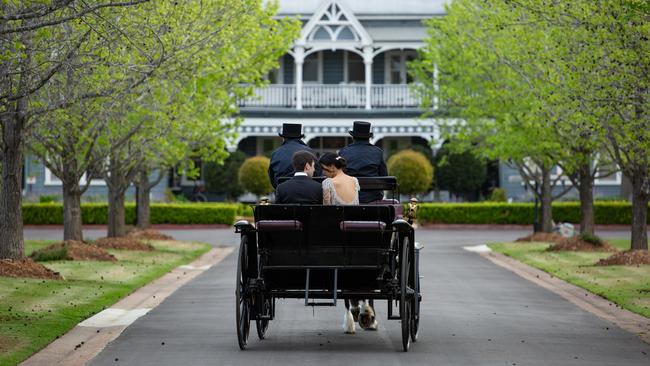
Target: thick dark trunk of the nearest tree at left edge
{"x":12,"y":245}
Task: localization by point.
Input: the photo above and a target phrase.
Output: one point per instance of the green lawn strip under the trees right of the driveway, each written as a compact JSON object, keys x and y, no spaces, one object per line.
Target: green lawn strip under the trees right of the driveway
{"x":627,"y":286}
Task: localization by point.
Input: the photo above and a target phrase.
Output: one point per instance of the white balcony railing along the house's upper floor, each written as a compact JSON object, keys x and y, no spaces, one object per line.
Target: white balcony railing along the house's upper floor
{"x":332,"y":96}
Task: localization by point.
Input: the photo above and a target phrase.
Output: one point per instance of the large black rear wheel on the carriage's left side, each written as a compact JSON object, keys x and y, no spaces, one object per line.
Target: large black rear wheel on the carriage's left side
{"x":242,"y":297}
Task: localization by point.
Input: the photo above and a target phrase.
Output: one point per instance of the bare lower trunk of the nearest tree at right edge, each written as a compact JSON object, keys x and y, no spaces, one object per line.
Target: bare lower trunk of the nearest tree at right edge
{"x":640,"y":197}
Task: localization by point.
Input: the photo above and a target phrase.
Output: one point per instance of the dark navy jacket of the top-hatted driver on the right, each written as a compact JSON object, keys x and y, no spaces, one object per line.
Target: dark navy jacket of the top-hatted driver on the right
{"x":365,"y":160}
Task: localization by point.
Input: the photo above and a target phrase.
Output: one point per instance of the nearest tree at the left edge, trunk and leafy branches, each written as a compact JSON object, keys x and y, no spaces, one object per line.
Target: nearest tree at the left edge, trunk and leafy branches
{"x":37,"y":43}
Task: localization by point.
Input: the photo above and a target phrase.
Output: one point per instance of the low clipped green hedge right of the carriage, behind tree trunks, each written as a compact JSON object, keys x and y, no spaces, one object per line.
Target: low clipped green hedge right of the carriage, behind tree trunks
{"x":520,"y":213}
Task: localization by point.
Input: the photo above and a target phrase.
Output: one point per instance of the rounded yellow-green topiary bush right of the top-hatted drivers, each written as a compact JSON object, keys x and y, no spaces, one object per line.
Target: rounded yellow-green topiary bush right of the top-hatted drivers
{"x":413,"y":171}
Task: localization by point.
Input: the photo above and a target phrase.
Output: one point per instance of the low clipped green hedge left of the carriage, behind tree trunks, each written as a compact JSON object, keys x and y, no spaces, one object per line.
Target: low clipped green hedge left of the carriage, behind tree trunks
{"x":161,"y":213}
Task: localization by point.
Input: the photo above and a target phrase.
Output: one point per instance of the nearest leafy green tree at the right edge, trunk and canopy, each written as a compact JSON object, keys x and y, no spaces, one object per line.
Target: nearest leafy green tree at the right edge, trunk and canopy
{"x":601,"y":46}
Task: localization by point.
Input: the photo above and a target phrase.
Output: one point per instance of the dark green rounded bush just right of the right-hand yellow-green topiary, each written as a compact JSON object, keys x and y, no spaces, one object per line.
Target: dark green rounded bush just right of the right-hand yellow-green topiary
{"x":459,"y":172}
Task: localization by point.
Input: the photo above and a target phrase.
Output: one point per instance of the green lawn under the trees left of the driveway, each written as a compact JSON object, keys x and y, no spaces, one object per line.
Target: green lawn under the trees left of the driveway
{"x":35,"y":312}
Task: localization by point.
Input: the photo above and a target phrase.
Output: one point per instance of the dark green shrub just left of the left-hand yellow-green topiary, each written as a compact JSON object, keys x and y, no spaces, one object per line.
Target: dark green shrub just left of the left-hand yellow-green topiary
{"x":218,"y":178}
